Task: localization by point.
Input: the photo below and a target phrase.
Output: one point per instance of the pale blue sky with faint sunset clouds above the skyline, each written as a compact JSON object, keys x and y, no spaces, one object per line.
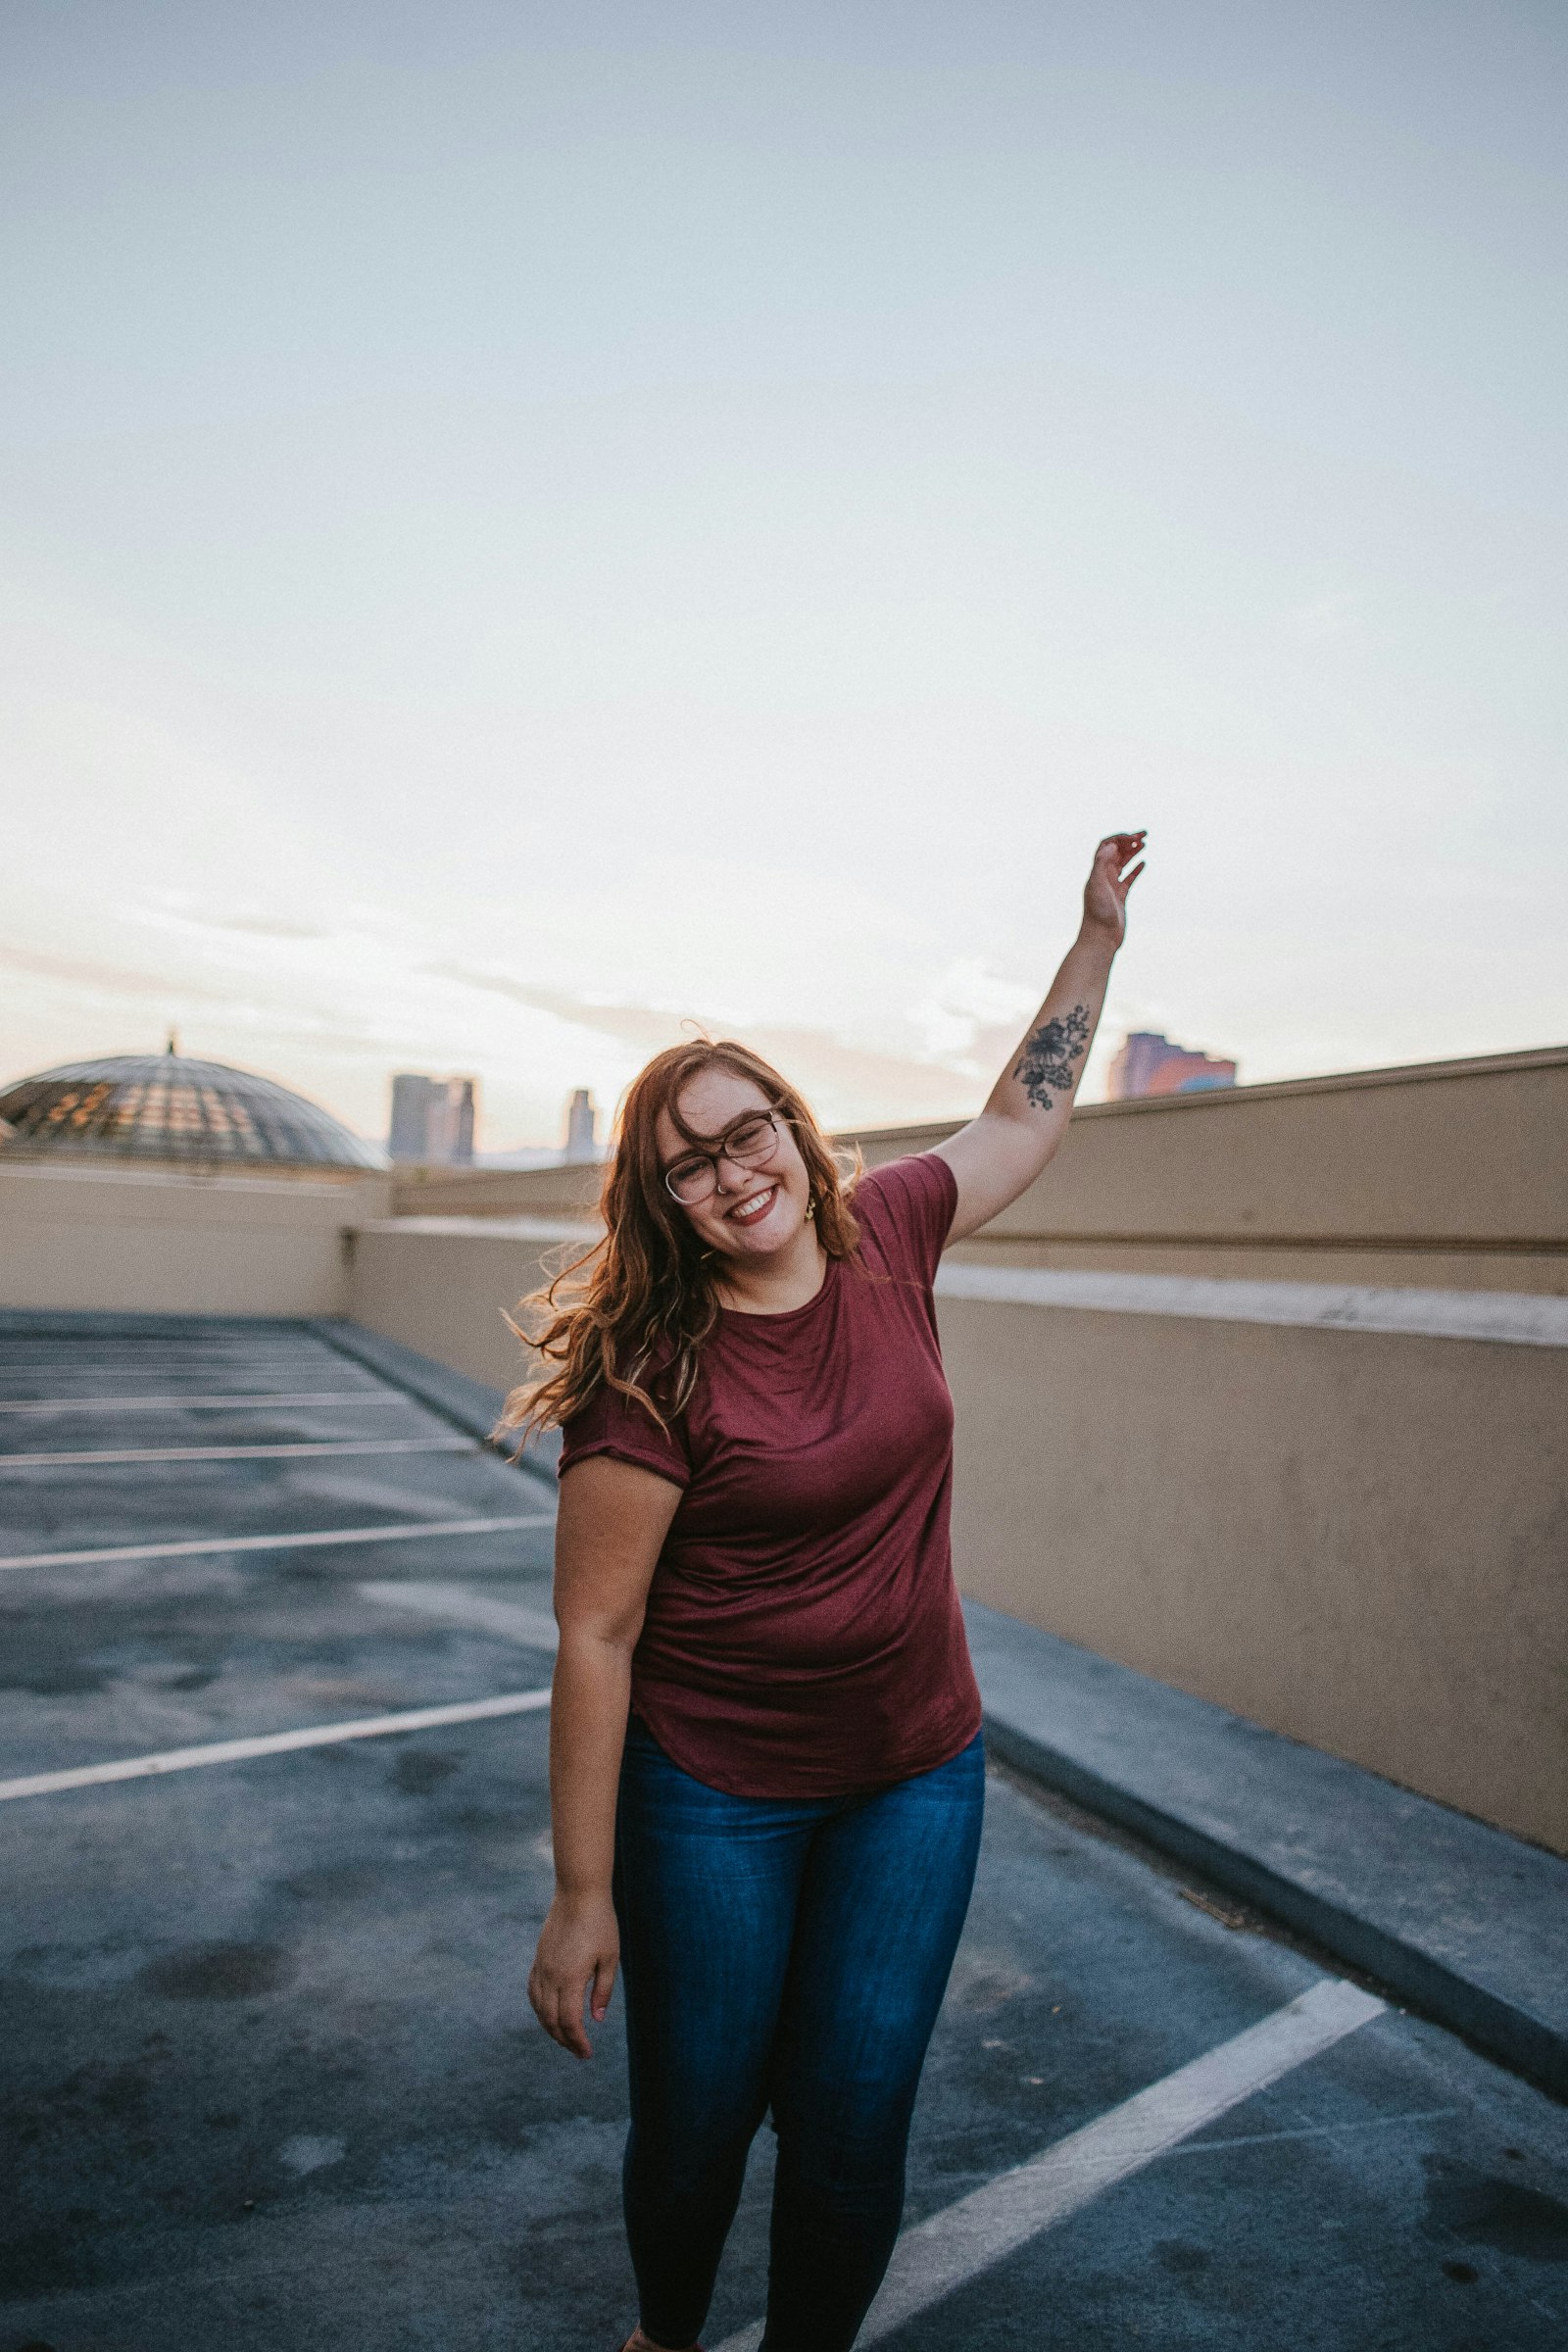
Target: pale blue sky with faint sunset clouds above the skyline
{"x":530,"y":523}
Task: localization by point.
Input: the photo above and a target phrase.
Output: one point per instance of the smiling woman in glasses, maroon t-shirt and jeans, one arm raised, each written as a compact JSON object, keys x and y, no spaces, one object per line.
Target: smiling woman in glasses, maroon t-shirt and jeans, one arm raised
{"x":765,"y":1742}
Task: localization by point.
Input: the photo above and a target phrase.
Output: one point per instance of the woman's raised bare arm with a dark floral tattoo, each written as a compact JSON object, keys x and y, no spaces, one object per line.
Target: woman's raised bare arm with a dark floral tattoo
{"x":1026,"y":1116}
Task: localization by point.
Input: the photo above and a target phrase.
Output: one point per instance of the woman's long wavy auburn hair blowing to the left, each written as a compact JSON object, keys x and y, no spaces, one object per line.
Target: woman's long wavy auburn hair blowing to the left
{"x":636,"y":1309}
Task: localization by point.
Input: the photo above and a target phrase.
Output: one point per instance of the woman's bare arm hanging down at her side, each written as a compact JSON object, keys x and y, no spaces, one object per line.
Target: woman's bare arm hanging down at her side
{"x":608,"y":1539}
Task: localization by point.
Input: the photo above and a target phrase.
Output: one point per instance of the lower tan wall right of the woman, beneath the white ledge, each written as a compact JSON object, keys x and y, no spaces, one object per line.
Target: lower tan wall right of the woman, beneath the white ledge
{"x":1348,"y":1537}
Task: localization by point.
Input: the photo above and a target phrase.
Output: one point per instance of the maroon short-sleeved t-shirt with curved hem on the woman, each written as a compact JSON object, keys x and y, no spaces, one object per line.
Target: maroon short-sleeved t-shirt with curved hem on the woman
{"x":803,"y":1633}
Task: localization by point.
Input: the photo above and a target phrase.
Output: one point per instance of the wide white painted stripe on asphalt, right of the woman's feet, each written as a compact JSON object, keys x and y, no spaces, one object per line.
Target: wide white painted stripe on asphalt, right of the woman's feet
{"x":967,"y":2238}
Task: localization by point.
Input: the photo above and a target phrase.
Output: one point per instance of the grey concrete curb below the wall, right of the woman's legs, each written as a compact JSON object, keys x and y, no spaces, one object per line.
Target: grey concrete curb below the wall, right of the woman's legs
{"x":1468,"y":1923}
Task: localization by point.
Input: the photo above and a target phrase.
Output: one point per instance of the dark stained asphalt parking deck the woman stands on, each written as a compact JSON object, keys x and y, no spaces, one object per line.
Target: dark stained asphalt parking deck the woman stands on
{"x":267,"y":2064}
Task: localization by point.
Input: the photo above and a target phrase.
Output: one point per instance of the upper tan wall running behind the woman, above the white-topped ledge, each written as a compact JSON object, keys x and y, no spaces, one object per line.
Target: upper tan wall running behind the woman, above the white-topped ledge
{"x":1435,"y":1175}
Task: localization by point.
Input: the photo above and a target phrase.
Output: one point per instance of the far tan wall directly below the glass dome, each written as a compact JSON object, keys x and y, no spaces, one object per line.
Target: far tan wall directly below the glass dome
{"x":173,"y":1243}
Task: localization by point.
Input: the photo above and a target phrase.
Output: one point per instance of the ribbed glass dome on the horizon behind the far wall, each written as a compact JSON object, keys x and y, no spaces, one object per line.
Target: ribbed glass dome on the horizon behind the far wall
{"x":166,"y":1107}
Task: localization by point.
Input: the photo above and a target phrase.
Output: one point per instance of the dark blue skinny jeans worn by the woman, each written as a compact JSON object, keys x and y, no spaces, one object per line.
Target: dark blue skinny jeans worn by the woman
{"x":791,"y":1956}
